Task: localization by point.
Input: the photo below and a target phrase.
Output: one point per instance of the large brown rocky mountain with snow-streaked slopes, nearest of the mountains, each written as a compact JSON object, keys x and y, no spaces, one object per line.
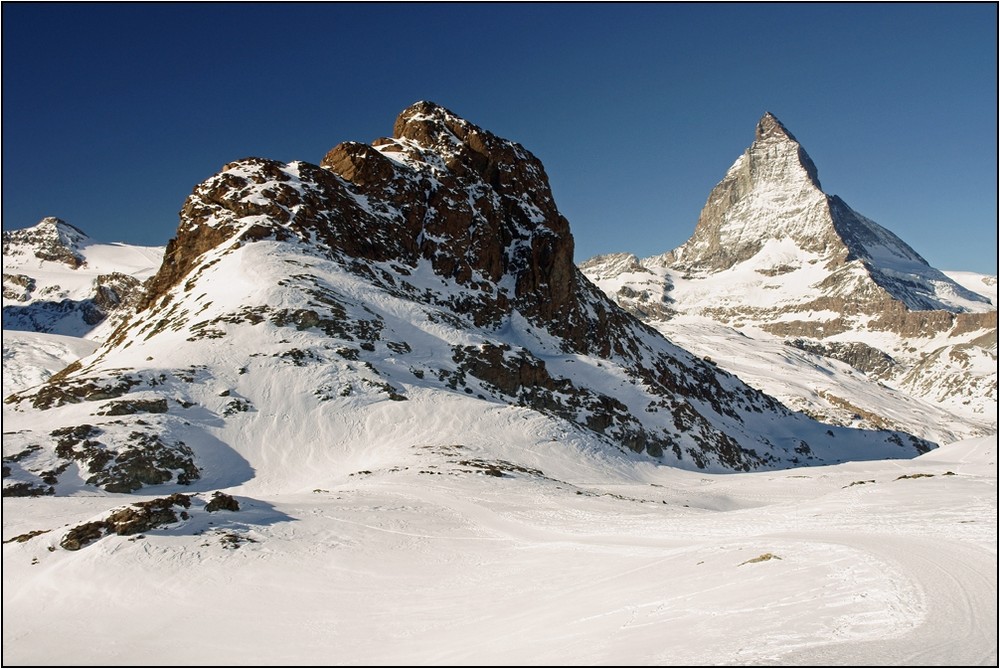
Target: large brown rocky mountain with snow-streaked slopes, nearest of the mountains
{"x":302,"y":302}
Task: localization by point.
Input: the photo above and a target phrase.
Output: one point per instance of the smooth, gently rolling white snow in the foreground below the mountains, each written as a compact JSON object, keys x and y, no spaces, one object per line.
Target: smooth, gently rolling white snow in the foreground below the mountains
{"x":599,"y":561}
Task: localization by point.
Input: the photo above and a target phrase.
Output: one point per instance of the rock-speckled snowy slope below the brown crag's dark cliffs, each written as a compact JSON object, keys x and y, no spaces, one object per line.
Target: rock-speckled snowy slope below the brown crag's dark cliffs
{"x":247,"y":387}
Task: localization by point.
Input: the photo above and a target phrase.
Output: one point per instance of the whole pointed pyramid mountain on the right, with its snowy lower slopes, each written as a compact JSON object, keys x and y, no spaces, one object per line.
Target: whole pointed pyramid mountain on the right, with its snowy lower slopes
{"x":773,"y":256}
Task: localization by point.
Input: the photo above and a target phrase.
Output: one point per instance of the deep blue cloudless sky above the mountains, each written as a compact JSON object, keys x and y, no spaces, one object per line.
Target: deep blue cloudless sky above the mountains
{"x":113,"y":113}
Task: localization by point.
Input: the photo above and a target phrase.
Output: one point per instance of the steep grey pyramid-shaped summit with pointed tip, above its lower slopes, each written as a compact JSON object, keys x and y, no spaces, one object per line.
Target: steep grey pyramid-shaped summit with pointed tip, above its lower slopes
{"x":770,"y":206}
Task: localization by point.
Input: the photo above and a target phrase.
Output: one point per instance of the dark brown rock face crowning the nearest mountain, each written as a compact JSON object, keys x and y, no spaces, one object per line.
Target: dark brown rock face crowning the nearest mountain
{"x":478,"y":207}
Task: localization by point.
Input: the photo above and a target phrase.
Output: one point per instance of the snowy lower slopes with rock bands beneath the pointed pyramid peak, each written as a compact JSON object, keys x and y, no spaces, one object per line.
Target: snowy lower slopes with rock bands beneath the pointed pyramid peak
{"x":946,"y":369}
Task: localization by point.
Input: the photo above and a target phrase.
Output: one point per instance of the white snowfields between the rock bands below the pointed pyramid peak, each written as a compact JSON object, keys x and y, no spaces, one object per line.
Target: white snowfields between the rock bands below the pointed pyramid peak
{"x":950,"y":380}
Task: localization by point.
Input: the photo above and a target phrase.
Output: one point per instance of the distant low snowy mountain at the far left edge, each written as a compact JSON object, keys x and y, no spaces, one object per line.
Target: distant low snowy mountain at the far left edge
{"x":58,"y":280}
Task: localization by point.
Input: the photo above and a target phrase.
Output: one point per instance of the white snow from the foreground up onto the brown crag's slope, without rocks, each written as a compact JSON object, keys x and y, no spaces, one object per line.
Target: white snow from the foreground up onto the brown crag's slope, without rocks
{"x":370,"y":533}
